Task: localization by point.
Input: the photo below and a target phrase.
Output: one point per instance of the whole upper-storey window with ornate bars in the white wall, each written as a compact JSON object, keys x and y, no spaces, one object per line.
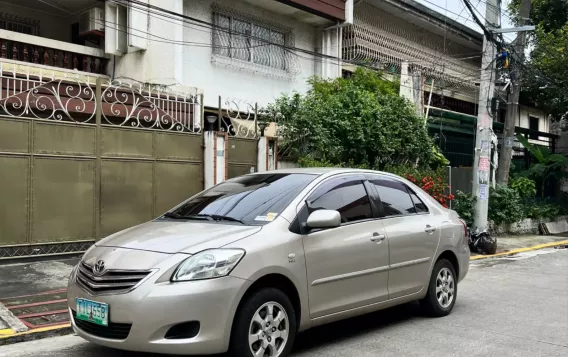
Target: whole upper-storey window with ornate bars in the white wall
{"x":248,"y":41}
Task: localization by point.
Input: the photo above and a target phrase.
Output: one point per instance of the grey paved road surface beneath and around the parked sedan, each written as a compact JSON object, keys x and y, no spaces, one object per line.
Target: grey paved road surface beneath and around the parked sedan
{"x":506,"y":307}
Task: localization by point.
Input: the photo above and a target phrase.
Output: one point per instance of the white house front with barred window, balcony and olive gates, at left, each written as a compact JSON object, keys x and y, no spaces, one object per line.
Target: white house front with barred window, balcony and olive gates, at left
{"x":112,"y":112}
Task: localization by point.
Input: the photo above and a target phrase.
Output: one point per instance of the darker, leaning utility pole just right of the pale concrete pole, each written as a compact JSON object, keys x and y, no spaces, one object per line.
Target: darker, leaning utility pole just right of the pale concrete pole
{"x":513,"y":99}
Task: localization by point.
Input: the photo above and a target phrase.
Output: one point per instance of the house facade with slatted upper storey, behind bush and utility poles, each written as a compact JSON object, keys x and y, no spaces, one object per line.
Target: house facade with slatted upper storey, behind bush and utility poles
{"x":439,"y":58}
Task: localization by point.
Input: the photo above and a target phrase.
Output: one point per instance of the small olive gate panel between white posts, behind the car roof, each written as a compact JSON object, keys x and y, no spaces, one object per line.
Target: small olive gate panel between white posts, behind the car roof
{"x":242,"y":156}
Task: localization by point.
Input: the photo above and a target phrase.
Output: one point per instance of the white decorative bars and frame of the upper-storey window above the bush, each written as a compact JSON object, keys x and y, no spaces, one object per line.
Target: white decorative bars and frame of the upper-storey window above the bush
{"x":251,"y":43}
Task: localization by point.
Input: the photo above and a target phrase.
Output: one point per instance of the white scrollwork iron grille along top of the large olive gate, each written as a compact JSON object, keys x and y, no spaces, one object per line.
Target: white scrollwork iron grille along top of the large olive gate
{"x":71,"y":97}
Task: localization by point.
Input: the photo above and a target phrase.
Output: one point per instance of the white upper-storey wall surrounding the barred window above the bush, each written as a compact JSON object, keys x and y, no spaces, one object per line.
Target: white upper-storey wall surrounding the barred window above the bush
{"x":215,"y":80}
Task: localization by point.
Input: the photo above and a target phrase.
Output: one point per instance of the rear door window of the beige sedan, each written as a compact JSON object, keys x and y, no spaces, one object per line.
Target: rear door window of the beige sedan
{"x":394,"y":196}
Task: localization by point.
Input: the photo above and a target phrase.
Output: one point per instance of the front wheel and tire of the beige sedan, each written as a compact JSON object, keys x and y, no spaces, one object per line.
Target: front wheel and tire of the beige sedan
{"x":275,"y":336}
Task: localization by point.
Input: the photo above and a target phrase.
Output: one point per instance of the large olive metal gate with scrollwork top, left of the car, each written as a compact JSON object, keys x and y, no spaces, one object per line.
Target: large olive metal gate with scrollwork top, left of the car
{"x":80,"y":160}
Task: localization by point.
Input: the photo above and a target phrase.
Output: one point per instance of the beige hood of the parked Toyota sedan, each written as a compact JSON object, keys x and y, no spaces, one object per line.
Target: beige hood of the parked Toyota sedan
{"x":178,"y":236}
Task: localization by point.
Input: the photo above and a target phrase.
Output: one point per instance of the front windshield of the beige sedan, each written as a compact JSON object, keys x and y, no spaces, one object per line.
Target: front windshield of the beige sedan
{"x":252,"y":199}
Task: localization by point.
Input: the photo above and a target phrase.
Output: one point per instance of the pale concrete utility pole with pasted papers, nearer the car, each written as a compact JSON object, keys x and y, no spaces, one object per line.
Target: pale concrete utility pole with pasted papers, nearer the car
{"x":482,"y":162}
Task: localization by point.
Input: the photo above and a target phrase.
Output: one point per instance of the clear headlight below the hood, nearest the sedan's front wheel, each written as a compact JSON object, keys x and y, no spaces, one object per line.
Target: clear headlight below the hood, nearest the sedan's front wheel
{"x":208,"y":264}
